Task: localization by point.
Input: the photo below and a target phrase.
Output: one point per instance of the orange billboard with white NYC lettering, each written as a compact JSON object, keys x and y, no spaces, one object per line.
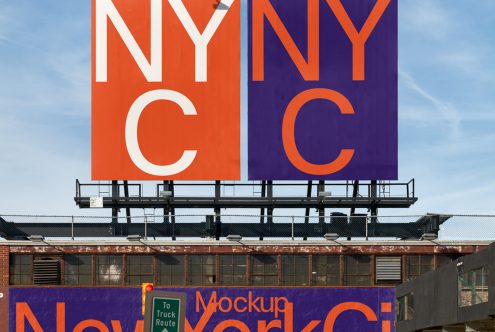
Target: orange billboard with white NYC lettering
{"x":165,"y":89}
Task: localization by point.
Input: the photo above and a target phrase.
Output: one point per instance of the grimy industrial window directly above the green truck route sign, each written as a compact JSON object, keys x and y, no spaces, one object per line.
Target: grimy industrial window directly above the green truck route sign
{"x":170,"y":270}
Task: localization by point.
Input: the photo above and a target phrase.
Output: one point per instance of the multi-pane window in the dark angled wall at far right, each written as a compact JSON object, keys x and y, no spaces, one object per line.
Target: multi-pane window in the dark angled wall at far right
{"x":472,"y":287}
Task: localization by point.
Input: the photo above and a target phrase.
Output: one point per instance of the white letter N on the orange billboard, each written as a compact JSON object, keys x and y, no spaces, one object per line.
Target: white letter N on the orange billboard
{"x":151,"y":70}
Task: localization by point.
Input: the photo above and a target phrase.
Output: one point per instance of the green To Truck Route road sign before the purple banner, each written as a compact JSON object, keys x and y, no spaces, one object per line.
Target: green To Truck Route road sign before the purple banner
{"x":165,"y":312}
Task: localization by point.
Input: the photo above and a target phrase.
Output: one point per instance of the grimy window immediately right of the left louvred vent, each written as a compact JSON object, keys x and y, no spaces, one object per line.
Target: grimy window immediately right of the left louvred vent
{"x":78,"y":270}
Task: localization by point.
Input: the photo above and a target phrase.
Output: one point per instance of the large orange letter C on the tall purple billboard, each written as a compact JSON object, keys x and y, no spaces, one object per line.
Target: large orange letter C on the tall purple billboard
{"x":288,"y":137}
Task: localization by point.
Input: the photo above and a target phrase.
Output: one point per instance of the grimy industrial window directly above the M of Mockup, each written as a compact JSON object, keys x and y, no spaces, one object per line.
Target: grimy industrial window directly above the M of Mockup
{"x":202,"y":270}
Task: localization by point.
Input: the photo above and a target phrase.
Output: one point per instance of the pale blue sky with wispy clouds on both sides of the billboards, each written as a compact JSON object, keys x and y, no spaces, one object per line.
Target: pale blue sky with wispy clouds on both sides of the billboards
{"x":446,"y":104}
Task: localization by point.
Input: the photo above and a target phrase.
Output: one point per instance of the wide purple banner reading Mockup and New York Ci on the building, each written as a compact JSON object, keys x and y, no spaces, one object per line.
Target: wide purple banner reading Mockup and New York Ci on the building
{"x":207,"y":309}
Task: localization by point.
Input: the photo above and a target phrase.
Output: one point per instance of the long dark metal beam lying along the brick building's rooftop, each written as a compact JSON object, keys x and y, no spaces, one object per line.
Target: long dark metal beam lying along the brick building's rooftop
{"x":413,"y":230}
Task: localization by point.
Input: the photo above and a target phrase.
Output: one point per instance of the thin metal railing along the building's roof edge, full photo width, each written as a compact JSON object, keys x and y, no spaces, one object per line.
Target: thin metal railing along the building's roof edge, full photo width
{"x":454,"y":227}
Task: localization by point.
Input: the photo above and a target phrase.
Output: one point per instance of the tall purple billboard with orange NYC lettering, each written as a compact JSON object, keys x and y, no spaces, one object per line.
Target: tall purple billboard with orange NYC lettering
{"x":322,"y":89}
